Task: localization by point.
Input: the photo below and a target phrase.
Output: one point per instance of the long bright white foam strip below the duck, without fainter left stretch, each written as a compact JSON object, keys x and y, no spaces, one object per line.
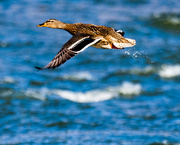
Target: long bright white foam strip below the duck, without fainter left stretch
{"x":127,"y":88}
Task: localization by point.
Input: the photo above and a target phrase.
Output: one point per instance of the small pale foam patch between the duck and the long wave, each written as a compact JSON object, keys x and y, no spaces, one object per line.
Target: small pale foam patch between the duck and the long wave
{"x":79,"y":76}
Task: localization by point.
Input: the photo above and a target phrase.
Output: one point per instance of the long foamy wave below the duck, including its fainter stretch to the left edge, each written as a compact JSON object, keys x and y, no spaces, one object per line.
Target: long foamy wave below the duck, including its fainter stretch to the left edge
{"x":126,"y":89}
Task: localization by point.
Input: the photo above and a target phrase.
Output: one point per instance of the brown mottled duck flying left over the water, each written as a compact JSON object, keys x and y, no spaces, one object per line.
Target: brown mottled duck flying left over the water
{"x":83,"y":36}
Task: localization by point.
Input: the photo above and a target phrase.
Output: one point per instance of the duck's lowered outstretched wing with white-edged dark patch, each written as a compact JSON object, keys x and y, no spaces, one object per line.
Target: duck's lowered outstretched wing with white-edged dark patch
{"x":76,"y":44}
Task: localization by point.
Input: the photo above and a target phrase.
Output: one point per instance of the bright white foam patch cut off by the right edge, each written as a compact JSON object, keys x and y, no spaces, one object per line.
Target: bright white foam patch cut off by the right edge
{"x":169,"y":71}
